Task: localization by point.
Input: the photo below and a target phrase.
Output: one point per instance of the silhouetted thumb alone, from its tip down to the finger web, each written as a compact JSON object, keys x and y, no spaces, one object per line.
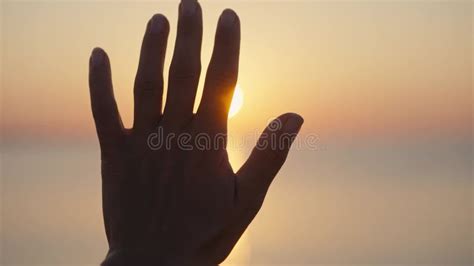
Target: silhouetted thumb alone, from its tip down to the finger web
{"x":266,"y":159}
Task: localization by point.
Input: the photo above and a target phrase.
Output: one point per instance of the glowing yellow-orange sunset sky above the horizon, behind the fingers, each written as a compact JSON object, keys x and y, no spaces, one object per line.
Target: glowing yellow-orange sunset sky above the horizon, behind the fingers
{"x":348,"y":68}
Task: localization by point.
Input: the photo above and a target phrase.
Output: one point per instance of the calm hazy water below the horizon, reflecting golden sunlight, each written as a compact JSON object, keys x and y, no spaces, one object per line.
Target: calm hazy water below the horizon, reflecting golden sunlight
{"x":388,"y":202}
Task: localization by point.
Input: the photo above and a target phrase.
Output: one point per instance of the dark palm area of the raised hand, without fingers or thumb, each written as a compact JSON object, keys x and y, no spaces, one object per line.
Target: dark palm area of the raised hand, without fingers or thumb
{"x":148,"y":209}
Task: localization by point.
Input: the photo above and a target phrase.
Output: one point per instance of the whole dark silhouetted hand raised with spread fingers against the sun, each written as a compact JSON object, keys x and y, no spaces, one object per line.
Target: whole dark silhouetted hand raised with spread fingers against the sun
{"x":168,"y":204}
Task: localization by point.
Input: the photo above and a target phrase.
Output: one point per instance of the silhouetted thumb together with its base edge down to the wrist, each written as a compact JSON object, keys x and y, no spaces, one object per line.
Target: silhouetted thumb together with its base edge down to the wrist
{"x":254,"y":178}
